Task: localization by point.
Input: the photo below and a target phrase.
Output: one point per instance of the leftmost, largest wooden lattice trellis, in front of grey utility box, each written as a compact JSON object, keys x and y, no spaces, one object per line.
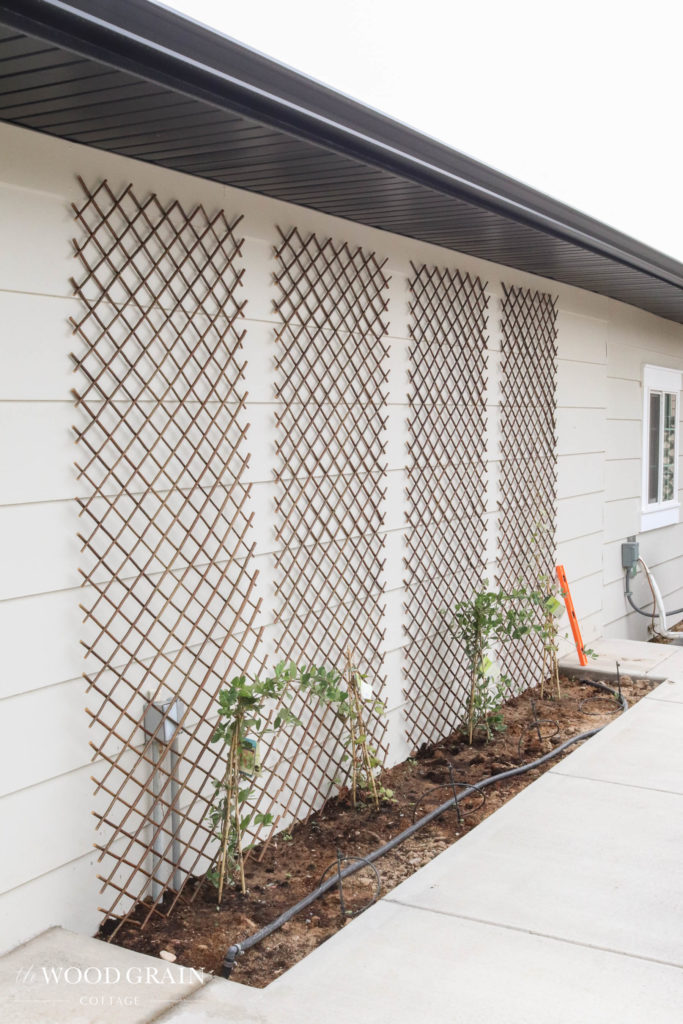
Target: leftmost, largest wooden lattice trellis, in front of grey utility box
{"x":169,"y":605}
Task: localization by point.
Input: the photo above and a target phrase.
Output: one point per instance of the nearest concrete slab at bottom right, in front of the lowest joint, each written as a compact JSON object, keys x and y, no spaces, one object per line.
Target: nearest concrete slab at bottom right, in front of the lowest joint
{"x":398,"y":965}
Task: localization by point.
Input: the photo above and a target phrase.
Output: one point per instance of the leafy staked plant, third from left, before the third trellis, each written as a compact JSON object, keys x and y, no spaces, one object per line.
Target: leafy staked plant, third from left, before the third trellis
{"x":489,"y":619}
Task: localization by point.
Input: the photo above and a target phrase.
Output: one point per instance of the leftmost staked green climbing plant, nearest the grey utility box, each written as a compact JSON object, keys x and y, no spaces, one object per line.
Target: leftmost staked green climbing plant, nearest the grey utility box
{"x":242,"y":721}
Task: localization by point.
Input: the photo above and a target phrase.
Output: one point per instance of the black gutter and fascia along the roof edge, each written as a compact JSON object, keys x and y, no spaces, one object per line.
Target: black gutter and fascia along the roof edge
{"x":271,"y":93}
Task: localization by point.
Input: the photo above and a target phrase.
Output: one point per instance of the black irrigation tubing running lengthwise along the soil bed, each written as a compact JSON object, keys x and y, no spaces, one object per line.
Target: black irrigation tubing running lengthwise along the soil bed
{"x":335,"y":882}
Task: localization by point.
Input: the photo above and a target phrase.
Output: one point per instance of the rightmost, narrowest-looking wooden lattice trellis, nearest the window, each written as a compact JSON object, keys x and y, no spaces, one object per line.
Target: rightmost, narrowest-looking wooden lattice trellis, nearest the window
{"x":528,"y":507}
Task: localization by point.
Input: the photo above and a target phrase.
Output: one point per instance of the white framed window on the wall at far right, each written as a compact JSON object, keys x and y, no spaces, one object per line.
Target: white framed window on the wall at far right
{"x":662,"y":398}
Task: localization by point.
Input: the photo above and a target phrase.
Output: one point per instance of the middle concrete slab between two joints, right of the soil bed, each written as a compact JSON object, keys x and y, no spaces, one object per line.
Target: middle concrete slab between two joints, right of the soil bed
{"x":572,"y":859}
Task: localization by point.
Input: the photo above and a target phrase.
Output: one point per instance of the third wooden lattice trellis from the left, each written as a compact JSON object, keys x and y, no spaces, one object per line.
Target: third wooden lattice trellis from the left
{"x":447,"y":485}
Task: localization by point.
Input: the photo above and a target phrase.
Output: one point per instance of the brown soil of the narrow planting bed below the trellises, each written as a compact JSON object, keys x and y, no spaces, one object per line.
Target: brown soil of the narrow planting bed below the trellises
{"x":293,"y":864}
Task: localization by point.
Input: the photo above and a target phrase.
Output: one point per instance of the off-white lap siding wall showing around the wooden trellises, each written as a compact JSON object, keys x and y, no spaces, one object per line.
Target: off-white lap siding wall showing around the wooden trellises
{"x":49,"y":867}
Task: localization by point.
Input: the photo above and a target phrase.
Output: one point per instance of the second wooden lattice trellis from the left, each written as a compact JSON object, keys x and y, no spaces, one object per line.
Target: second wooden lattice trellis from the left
{"x":331,"y":375}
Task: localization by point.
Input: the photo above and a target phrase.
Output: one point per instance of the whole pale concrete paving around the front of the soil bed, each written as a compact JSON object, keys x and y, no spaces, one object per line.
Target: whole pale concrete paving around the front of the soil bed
{"x":565,"y":906}
